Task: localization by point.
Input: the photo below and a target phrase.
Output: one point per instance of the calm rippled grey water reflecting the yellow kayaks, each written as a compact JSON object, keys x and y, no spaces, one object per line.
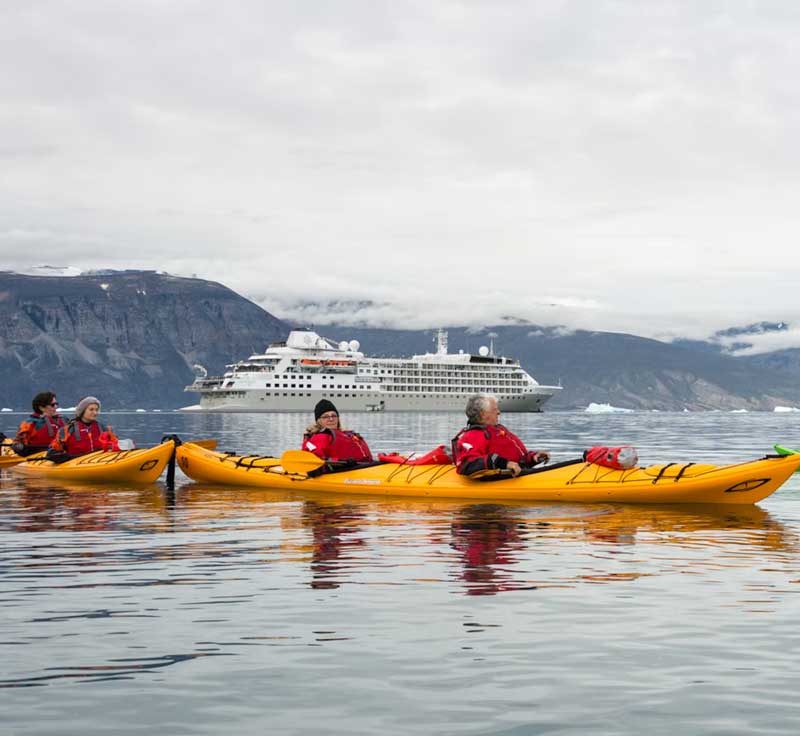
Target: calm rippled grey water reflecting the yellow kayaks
{"x":213,"y":610}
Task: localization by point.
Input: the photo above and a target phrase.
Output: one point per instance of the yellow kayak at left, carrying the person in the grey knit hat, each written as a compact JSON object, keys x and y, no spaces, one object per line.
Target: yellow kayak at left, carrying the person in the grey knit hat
{"x":125,"y":466}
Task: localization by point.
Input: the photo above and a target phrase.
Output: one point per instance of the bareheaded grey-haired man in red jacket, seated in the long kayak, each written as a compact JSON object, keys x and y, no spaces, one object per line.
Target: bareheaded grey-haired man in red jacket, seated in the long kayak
{"x":485,"y":444}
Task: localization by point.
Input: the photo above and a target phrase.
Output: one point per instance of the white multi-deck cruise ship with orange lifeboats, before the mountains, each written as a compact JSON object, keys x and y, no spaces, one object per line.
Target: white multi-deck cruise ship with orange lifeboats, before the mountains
{"x":293,"y":375}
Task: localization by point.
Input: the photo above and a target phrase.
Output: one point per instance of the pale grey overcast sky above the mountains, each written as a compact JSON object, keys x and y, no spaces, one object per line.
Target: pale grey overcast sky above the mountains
{"x":604,"y":164}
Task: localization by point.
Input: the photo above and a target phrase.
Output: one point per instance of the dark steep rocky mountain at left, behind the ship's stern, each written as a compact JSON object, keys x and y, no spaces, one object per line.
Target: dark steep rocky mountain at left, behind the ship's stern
{"x":129,"y":338}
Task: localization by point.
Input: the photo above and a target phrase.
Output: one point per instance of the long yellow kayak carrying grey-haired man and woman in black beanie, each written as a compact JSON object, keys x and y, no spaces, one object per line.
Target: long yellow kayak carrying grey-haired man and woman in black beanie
{"x":695,"y":483}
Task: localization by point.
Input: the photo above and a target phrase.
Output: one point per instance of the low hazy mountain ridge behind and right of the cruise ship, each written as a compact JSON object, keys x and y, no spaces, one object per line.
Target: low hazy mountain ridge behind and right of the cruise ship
{"x":604,"y":367}
